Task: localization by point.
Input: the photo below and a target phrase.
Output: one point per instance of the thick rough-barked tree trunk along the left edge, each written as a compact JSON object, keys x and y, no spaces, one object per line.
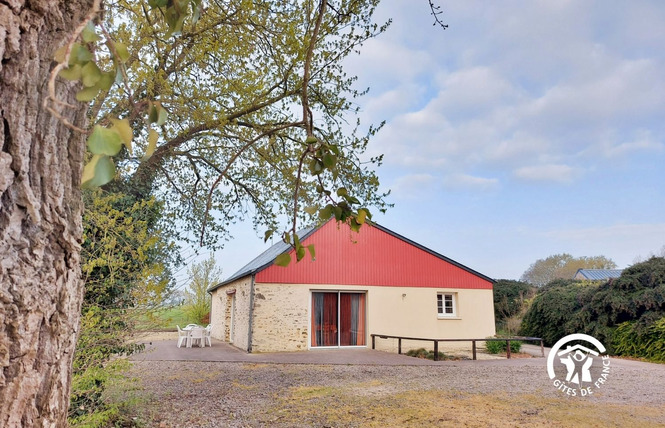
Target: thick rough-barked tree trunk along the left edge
{"x":40,"y":215}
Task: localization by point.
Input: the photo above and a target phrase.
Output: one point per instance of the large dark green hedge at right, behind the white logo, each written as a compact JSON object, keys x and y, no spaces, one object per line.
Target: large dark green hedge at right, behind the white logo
{"x":625,"y":314}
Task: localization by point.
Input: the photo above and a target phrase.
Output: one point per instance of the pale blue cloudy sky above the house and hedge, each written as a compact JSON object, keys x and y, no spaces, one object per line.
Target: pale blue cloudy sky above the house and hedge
{"x":526,"y":129}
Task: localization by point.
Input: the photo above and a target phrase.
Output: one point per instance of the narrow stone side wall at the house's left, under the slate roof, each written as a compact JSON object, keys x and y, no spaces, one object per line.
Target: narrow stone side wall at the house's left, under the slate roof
{"x":220,"y":317}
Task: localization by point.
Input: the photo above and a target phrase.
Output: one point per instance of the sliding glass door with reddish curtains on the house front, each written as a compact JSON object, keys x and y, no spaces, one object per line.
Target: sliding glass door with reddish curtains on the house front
{"x":338,"y":319}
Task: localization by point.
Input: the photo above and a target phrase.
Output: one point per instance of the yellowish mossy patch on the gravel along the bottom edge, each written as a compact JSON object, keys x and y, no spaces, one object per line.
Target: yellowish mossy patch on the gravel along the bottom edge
{"x":340,"y":407}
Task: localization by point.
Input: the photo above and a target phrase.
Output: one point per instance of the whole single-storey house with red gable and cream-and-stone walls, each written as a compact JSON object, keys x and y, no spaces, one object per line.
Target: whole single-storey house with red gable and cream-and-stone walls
{"x":372,"y":282}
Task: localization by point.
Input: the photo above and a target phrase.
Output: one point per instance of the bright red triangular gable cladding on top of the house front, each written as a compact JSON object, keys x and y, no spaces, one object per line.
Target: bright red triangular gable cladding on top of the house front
{"x":375,"y":256}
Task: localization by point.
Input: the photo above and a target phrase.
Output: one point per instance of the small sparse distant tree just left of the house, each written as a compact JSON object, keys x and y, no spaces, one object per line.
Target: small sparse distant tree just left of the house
{"x":197,"y":300}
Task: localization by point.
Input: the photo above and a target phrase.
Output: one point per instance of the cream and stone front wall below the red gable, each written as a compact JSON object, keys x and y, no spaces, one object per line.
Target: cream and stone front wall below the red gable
{"x":282,"y":316}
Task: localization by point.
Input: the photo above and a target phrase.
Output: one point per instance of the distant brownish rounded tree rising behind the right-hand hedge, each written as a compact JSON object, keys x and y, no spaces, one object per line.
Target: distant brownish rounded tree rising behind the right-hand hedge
{"x":562,"y":266}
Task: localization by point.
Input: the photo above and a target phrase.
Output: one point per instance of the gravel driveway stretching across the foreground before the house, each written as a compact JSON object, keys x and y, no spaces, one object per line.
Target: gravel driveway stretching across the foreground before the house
{"x":514,"y":392}
